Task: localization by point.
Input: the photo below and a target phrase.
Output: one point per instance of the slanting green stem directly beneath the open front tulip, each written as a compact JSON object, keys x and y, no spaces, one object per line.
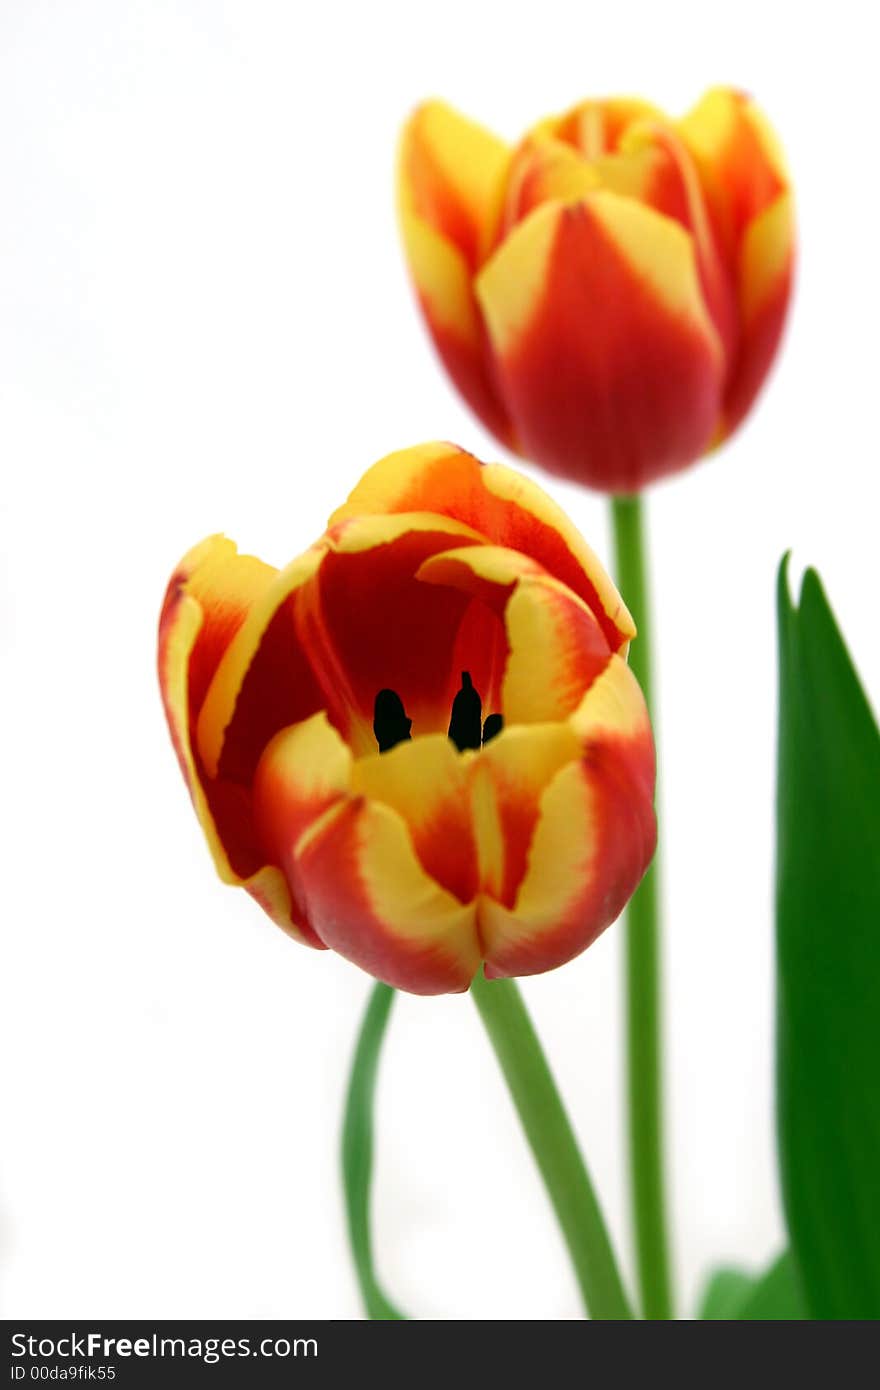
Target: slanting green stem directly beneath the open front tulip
{"x":554,"y":1146}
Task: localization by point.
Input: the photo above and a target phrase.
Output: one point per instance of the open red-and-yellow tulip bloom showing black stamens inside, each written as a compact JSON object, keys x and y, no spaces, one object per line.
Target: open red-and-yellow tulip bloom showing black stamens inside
{"x":421,"y":744}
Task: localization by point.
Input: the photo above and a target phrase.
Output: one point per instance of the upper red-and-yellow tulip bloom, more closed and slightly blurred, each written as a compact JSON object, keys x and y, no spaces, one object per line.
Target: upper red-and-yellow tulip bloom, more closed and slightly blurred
{"x":608,"y":295}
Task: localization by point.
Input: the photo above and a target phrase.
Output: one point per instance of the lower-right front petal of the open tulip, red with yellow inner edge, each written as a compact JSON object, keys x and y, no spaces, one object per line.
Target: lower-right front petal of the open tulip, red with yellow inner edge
{"x":593,"y":842}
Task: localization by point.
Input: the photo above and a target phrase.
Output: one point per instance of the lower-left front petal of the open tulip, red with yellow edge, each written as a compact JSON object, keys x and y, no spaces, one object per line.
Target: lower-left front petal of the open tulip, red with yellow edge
{"x":369,"y":899}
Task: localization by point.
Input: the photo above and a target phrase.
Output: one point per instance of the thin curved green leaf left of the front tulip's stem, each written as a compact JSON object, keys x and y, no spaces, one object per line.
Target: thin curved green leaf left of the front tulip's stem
{"x":358,"y":1150}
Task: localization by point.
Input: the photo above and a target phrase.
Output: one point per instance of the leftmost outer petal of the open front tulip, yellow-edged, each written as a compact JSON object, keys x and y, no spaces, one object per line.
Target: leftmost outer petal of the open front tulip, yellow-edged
{"x":208,"y":601}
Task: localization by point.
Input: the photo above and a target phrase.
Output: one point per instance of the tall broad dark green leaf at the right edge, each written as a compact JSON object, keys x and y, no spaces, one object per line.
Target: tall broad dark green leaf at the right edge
{"x":829,"y":961}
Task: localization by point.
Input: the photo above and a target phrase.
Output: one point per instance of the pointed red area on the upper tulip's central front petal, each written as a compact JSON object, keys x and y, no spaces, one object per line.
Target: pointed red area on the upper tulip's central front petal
{"x":605,"y":384}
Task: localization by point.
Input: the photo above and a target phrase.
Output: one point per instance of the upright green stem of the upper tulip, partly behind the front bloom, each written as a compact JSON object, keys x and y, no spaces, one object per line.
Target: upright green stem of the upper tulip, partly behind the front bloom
{"x":643,"y":971}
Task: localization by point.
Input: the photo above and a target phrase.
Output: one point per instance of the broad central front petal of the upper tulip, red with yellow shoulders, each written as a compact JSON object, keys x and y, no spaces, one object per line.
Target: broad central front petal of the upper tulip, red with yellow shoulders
{"x":607,"y":355}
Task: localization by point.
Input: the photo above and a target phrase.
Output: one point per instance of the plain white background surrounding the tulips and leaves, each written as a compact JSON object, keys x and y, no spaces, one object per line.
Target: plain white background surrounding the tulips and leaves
{"x":205,"y":325}
